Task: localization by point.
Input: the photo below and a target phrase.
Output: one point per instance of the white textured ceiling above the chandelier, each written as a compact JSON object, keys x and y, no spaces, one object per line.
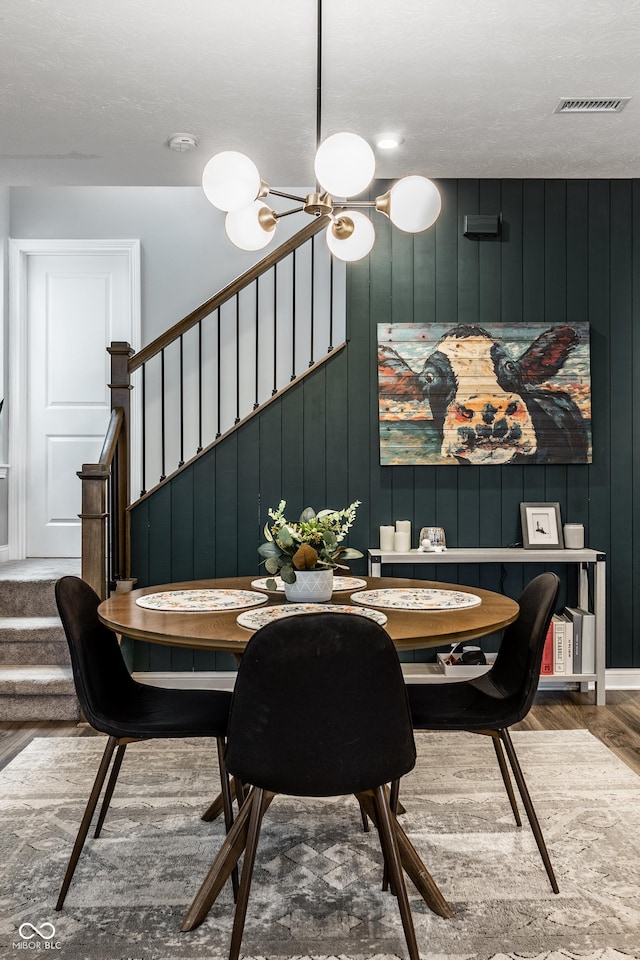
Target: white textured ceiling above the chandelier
{"x":91,"y":90}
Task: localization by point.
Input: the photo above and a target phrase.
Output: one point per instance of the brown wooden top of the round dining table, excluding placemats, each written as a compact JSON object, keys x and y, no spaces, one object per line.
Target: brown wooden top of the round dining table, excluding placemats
{"x":409,"y":630}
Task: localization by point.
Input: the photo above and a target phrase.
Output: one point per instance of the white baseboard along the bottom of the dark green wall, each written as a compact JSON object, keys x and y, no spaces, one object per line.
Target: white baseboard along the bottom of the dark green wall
{"x":616,"y":678}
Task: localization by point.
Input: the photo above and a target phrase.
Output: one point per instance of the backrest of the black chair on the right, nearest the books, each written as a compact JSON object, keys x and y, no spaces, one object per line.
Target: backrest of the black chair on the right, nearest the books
{"x":516,"y":670}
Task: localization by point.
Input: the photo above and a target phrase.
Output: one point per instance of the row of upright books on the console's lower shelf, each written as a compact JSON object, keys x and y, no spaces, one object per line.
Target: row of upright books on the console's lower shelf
{"x":570,"y":644}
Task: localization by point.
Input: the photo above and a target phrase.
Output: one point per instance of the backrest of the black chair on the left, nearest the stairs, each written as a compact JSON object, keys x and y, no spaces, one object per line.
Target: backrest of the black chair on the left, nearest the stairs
{"x":99,"y":671}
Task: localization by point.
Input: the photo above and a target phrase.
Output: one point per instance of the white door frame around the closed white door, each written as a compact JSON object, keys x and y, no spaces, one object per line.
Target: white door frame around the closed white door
{"x":19,"y":252}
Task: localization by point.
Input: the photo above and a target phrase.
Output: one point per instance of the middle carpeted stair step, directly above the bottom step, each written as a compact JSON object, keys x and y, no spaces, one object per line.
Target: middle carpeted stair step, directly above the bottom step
{"x":36,"y":640}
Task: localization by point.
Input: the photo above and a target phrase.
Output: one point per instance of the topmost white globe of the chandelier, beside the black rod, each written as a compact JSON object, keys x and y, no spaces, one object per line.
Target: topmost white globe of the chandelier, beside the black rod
{"x":344,"y":164}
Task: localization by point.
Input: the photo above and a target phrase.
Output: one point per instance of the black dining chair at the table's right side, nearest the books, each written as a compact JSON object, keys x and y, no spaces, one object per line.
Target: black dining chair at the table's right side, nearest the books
{"x":492,"y":702}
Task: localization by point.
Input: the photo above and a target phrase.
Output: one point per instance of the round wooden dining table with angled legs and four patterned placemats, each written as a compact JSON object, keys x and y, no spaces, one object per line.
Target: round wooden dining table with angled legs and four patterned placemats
{"x":196,"y":614}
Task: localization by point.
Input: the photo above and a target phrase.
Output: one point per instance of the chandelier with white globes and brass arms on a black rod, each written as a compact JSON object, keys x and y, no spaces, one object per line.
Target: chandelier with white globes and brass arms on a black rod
{"x":344,"y":167}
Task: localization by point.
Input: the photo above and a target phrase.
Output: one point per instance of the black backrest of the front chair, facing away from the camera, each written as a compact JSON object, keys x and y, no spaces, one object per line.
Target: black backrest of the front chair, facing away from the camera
{"x":320,"y":708}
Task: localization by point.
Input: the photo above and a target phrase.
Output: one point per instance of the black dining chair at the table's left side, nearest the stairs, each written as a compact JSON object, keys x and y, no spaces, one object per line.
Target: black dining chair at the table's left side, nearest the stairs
{"x":127,"y":711}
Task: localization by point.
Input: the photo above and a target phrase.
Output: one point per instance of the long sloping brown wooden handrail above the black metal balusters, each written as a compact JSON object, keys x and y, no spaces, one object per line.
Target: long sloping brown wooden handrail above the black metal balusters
{"x":178,"y":329}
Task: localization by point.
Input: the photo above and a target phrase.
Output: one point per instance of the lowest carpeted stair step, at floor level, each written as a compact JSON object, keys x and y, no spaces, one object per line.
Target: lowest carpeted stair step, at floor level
{"x":37,"y":692}
